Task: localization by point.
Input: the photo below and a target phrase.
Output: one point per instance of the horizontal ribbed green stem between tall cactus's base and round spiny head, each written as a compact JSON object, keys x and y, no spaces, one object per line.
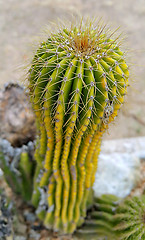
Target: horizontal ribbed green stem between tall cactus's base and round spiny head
{"x":100,"y":218}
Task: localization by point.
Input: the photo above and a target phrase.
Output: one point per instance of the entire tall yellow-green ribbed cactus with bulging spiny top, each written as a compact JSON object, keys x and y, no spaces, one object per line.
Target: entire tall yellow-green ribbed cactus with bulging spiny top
{"x":77,"y":84}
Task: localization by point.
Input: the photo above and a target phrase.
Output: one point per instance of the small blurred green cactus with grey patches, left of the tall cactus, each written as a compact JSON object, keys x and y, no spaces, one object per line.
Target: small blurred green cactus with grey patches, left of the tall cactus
{"x":18,"y":167}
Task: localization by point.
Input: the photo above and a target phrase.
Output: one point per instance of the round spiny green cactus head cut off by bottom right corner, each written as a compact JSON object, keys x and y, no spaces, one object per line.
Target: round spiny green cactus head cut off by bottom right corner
{"x":130,"y":219}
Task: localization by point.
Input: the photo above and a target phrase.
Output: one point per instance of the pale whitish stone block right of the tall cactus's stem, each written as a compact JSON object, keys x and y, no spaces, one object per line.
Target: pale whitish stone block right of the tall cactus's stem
{"x":119,"y":166}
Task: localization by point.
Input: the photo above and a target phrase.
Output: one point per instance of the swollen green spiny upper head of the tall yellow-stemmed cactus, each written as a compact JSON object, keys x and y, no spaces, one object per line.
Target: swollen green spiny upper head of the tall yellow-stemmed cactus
{"x":82,"y":69}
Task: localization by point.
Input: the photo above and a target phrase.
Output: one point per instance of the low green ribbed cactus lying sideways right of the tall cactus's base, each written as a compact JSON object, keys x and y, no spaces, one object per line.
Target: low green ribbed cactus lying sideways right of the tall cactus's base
{"x":116,"y":218}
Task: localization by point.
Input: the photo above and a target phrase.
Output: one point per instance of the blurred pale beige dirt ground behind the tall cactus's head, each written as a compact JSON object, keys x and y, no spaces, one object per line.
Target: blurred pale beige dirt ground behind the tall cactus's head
{"x":22,"y":21}
